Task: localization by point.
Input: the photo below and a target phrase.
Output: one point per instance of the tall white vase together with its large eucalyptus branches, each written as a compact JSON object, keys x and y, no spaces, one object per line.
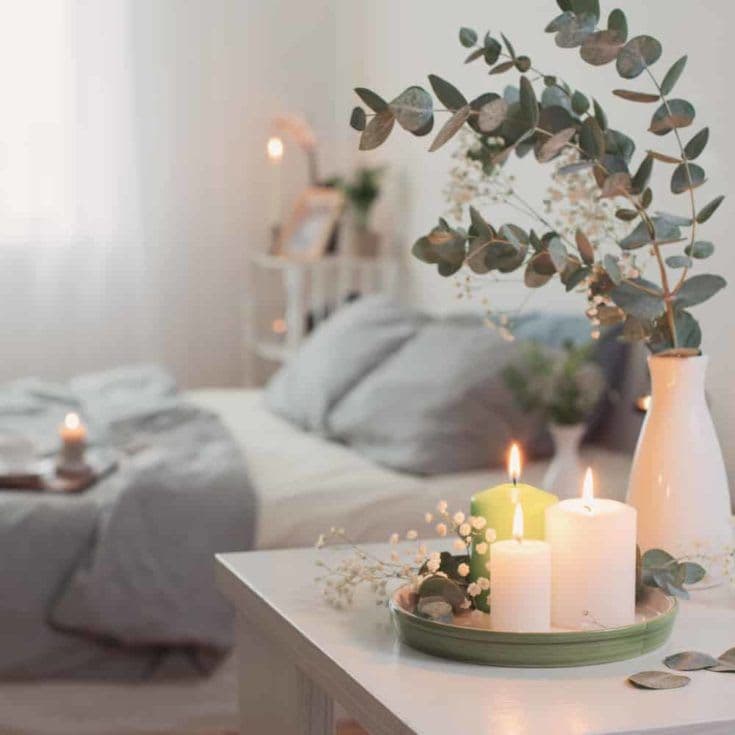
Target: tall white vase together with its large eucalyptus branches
{"x":678,"y":481}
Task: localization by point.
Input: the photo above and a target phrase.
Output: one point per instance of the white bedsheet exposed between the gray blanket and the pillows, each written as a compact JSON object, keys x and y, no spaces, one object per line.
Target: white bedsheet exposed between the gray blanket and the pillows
{"x":305,"y":484}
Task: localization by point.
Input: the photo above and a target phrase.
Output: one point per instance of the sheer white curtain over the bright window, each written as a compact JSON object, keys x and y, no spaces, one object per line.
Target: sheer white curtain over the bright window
{"x":101,"y":262}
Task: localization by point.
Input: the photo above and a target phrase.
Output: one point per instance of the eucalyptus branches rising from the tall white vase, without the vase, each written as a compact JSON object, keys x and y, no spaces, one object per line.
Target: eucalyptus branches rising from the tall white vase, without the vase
{"x":549,"y":120}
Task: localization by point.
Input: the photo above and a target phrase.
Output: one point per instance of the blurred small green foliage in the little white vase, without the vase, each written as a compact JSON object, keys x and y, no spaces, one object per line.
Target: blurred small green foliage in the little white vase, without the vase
{"x":563,"y":385}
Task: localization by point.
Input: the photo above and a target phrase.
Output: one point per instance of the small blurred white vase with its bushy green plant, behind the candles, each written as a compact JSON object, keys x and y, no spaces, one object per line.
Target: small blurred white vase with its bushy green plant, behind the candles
{"x":563,"y":387}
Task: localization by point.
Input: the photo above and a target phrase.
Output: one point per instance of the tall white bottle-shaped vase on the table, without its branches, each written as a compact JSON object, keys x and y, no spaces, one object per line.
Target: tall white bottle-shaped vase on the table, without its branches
{"x":678,"y":481}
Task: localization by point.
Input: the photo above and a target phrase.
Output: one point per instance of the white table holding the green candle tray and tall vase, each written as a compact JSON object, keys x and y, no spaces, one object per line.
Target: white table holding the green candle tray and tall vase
{"x":297,"y":656}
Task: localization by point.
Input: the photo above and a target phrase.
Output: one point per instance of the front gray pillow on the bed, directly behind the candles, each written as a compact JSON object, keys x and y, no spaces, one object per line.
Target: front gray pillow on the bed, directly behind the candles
{"x":437,"y":405}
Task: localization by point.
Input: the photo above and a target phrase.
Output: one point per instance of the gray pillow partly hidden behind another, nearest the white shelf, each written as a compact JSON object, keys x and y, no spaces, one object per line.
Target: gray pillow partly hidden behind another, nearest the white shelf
{"x":337,"y":356}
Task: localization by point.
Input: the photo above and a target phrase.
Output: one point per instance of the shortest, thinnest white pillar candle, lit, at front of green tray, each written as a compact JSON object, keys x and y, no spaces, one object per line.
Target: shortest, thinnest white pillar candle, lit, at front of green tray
{"x":520,"y":582}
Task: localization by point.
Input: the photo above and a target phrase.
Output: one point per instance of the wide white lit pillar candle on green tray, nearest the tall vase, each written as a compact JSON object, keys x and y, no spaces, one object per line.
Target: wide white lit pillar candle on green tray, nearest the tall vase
{"x":593,"y":561}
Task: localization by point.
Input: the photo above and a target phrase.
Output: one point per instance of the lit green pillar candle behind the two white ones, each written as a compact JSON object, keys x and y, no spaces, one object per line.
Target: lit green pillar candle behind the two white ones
{"x":497,"y":506}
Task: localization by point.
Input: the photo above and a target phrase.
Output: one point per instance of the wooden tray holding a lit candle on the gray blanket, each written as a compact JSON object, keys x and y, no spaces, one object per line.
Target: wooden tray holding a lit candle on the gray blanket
{"x":42,"y":476}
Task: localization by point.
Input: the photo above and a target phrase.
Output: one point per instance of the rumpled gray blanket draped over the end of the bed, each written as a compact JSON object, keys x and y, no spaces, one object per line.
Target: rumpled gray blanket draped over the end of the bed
{"x":118,"y":581}
